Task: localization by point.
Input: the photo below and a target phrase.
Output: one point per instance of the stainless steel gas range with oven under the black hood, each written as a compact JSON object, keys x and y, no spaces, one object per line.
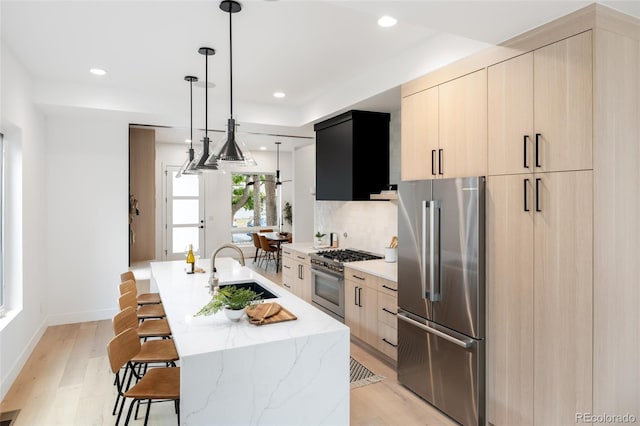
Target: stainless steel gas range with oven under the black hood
{"x":327,"y":278}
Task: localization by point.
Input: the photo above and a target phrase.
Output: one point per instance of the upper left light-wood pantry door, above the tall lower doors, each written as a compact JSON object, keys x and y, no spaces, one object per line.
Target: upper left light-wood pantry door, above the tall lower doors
{"x":510,"y":116}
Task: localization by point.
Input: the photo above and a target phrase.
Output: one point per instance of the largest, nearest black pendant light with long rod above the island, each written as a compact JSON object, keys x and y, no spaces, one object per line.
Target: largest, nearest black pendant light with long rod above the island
{"x":233,"y":150}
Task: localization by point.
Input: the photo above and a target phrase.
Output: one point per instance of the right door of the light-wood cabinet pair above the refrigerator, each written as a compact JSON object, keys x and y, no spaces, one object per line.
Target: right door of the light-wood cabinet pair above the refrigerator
{"x":463,"y":126}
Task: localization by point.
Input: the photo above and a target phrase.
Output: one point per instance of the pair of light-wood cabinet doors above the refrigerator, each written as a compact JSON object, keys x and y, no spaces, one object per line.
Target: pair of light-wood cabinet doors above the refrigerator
{"x":444,"y":129}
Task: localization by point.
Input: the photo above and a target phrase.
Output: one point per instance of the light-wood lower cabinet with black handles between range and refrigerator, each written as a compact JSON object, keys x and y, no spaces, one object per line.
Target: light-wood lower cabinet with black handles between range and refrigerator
{"x":371,"y":306}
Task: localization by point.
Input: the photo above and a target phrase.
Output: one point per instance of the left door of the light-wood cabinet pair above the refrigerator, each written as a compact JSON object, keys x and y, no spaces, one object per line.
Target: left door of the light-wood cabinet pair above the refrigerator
{"x":419,"y":129}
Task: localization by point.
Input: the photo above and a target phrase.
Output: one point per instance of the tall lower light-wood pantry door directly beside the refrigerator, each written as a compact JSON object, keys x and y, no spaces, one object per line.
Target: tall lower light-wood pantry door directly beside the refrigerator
{"x":510,"y":294}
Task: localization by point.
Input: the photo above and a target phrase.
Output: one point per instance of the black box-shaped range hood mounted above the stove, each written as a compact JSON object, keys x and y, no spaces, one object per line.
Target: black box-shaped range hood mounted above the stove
{"x":352,"y":156}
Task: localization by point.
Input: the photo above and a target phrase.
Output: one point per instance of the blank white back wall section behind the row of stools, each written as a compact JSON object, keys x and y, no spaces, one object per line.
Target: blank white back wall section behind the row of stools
{"x":87,"y":222}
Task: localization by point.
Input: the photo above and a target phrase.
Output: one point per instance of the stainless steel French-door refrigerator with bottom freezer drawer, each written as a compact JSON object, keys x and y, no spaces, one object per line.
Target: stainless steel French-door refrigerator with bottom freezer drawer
{"x":441,"y":300}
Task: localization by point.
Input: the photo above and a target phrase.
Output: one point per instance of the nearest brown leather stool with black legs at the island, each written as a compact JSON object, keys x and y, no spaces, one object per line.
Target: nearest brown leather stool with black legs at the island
{"x":156,"y":385}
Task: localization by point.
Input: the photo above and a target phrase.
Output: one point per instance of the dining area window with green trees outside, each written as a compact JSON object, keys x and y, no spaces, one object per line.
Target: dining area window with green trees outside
{"x":253,"y":205}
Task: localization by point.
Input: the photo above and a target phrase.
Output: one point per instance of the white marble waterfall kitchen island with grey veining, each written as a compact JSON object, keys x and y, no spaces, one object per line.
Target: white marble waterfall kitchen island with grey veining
{"x":236,"y":373}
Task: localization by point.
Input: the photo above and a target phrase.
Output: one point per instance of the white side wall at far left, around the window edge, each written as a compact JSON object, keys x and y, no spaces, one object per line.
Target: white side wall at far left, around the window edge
{"x":26,"y":278}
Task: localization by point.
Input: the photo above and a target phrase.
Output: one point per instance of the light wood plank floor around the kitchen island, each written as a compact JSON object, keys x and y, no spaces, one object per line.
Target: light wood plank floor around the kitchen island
{"x":67,"y":381}
